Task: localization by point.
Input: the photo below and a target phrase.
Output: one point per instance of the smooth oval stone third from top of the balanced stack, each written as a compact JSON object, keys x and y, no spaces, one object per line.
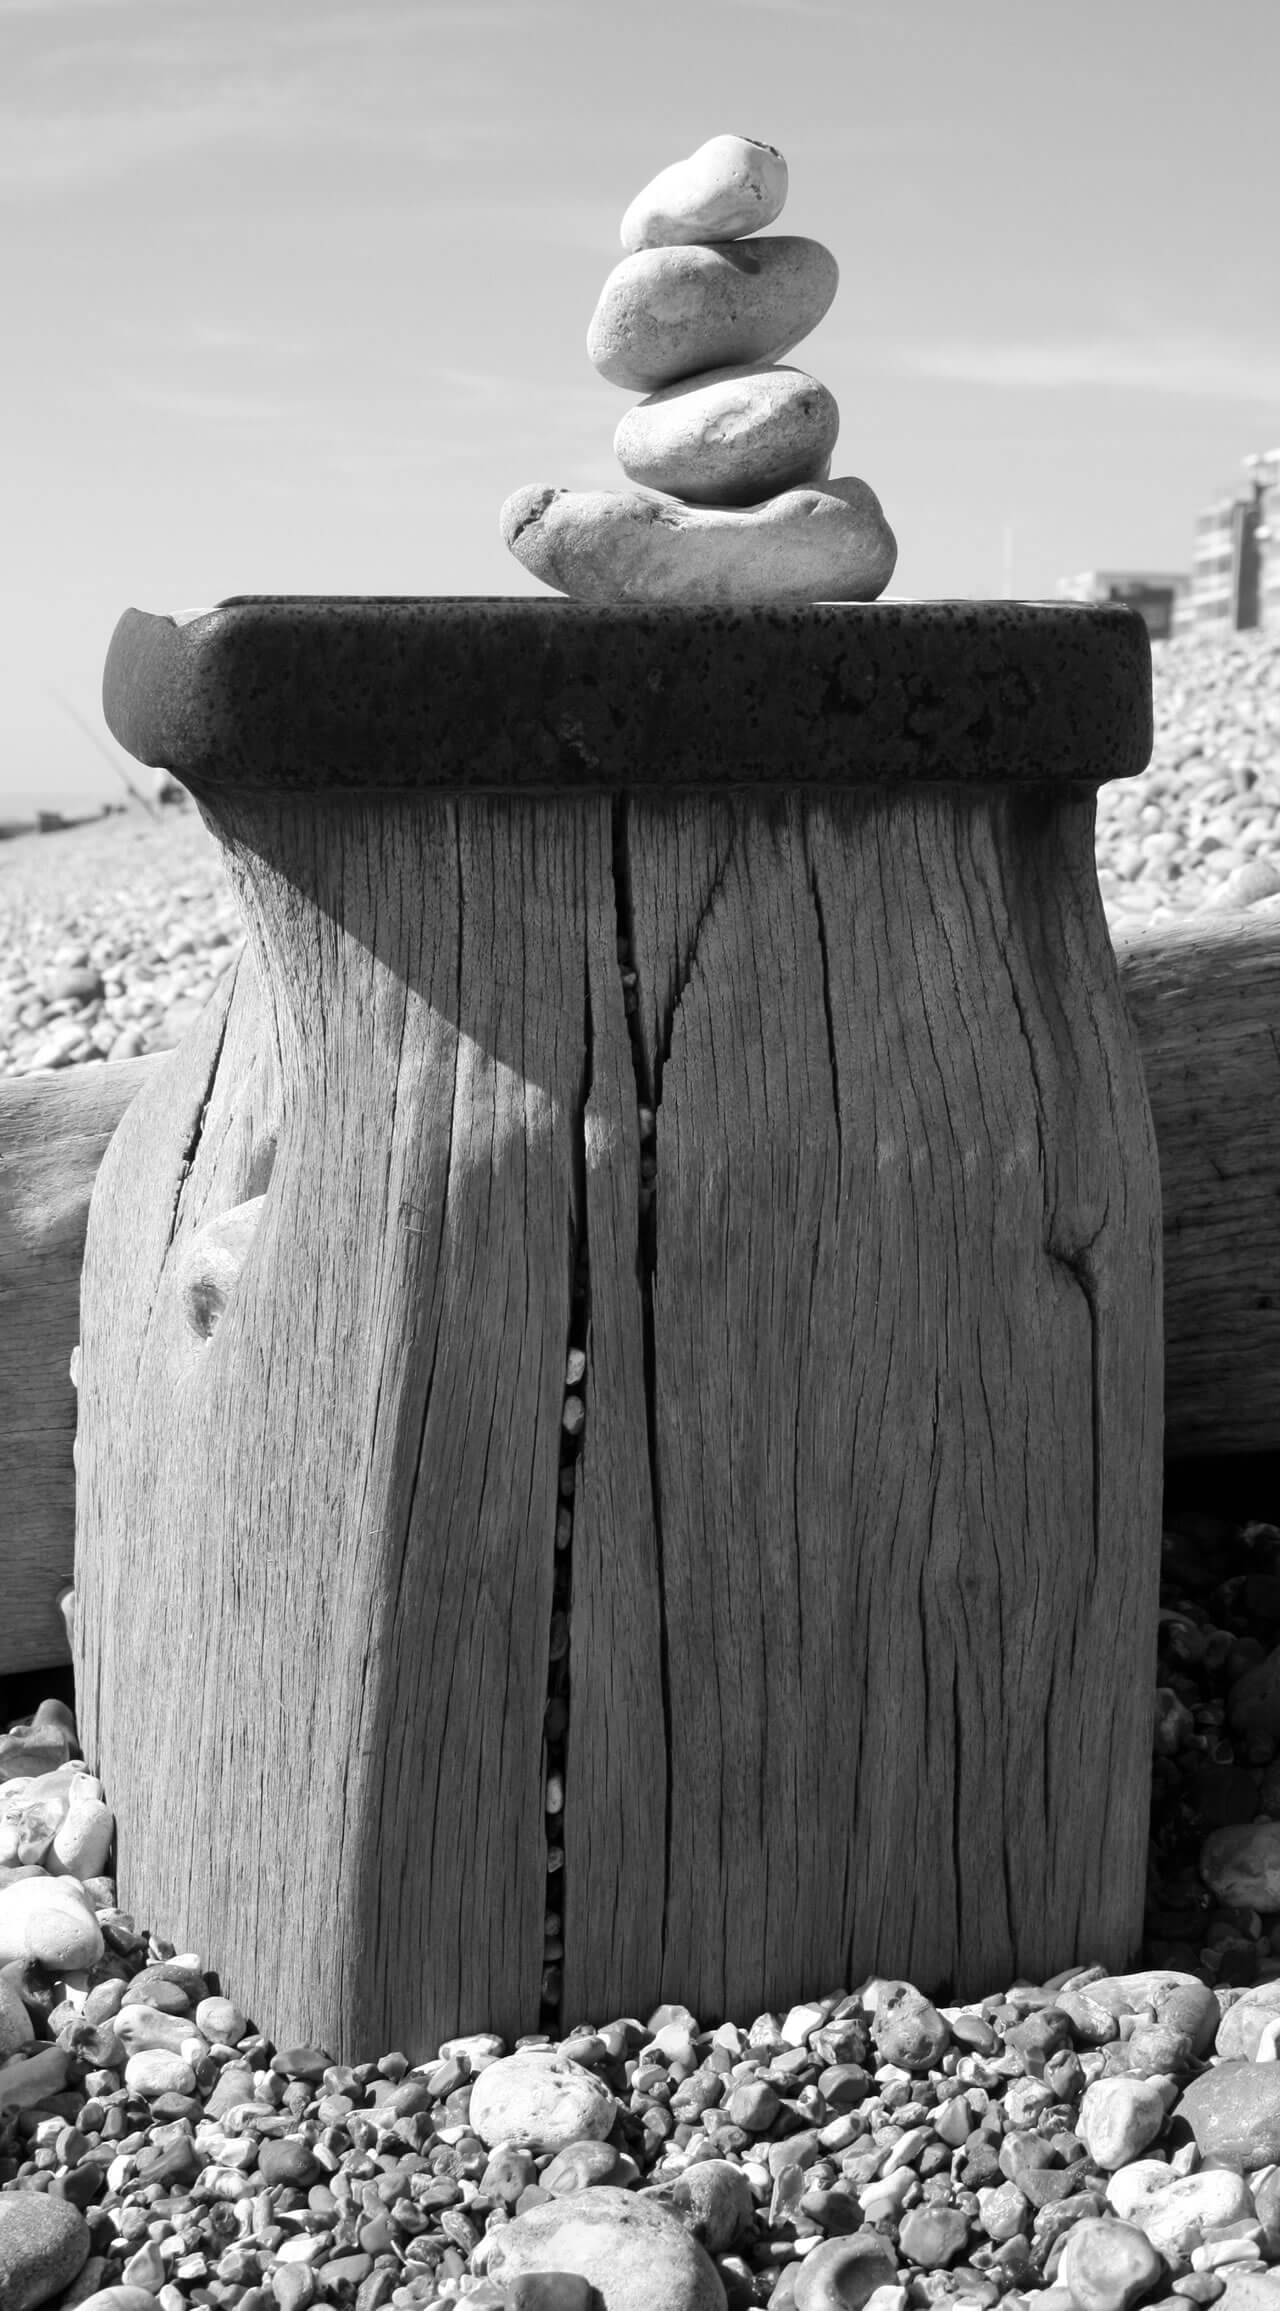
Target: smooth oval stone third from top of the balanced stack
{"x":731,"y":438}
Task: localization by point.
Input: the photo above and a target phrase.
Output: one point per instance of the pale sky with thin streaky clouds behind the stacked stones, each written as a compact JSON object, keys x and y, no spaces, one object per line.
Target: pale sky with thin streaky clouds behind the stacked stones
{"x":295,"y":292}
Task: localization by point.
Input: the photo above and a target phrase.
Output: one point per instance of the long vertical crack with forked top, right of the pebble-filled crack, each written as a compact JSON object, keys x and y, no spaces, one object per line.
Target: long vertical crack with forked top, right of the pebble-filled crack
{"x":648,"y":1097}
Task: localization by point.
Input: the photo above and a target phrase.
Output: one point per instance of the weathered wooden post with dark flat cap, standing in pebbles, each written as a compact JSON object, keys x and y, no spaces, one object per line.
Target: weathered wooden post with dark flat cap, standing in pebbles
{"x":865,"y":1519}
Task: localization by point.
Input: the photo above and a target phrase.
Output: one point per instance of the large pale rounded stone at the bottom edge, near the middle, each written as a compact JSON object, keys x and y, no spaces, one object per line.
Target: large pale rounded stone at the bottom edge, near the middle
{"x":632,"y":2250}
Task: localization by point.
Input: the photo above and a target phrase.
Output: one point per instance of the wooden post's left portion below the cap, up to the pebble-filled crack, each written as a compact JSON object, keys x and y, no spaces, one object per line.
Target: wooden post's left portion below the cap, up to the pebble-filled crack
{"x":352,"y":1485}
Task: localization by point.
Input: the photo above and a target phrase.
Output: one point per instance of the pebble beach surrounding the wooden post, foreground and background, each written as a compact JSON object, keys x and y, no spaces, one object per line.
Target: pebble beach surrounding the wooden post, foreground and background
{"x":1089,"y":2143}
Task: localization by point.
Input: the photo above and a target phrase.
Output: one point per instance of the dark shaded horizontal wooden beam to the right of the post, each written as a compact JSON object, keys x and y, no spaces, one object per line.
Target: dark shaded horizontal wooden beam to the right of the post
{"x":1205,"y":1000}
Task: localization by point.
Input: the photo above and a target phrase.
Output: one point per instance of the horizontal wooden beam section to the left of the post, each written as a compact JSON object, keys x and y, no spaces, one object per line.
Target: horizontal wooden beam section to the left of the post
{"x":54,"y":1131}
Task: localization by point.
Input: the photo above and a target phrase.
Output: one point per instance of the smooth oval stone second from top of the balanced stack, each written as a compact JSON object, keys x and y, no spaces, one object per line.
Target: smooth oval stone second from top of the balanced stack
{"x":671,"y":313}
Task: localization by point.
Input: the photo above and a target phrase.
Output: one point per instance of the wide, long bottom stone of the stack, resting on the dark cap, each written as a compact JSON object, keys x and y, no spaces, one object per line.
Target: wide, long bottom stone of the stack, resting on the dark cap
{"x":821,"y":544}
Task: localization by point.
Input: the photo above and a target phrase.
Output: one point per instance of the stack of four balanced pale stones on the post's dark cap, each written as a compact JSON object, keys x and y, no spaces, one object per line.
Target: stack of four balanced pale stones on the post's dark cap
{"x":729,"y":454}
